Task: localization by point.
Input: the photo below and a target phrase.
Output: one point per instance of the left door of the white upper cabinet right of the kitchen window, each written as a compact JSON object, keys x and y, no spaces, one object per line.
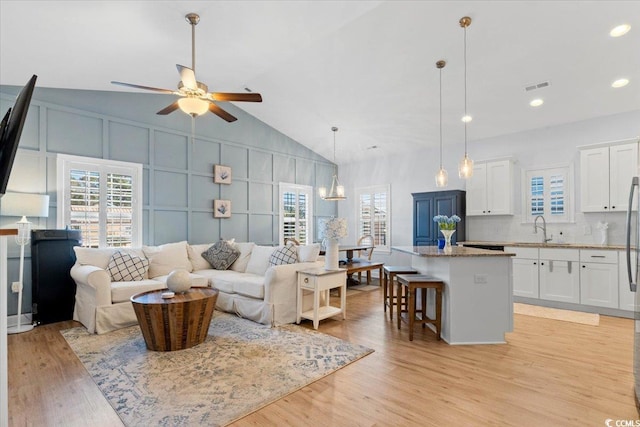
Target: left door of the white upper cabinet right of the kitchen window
{"x":594,"y":180}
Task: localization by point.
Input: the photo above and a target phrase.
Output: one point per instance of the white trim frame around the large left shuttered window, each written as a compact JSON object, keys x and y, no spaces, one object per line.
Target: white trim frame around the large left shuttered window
{"x":66,"y":162}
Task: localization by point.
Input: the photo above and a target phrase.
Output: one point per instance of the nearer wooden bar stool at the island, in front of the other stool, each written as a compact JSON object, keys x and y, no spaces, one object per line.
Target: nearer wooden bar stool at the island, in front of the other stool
{"x":410,"y":283}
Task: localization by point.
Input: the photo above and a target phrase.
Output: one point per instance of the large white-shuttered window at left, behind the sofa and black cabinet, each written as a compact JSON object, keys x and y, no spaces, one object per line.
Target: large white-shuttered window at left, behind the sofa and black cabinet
{"x":102,"y":199}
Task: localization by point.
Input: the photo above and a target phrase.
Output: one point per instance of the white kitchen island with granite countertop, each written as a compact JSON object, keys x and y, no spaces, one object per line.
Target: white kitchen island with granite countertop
{"x":477,"y":304}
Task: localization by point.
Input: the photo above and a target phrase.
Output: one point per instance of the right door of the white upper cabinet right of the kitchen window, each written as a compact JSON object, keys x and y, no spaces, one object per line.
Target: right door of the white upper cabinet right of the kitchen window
{"x":623,"y":160}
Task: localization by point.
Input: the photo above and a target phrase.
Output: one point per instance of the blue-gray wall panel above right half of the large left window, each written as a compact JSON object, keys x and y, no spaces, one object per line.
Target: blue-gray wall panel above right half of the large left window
{"x":128,"y":143}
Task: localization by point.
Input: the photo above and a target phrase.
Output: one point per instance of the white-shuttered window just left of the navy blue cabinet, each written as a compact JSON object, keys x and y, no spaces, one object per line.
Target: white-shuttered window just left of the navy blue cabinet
{"x":374,"y":215}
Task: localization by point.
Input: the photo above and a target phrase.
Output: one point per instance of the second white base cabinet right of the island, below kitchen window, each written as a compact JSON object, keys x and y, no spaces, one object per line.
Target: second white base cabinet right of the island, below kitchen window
{"x":560,"y":275}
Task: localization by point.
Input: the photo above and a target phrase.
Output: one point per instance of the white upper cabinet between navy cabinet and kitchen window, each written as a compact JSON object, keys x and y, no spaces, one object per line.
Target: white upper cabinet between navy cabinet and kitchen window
{"x":490,"y":189}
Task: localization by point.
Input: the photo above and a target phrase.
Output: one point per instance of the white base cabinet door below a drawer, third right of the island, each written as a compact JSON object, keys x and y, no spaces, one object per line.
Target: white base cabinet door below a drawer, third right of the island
{"x":599,"y":284}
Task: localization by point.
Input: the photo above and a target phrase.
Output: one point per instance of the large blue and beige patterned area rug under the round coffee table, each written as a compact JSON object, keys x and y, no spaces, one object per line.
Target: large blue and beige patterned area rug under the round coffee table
{"x":241,"y":367}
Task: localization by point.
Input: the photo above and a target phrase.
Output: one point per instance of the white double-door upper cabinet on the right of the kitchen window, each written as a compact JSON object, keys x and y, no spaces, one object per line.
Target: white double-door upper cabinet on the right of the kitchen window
{"x":605,"y":177}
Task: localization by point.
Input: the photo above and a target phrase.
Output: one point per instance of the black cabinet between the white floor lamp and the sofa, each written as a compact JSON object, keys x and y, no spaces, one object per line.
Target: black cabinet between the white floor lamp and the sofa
{"x":53,"y":291}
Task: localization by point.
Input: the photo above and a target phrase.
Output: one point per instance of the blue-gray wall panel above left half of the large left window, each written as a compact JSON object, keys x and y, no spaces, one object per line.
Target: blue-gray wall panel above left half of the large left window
{"x":71,"y":133}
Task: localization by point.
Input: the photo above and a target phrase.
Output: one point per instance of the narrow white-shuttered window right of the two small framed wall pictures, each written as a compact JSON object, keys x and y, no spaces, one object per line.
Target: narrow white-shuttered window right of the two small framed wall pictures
{"x":296,"y":213}
